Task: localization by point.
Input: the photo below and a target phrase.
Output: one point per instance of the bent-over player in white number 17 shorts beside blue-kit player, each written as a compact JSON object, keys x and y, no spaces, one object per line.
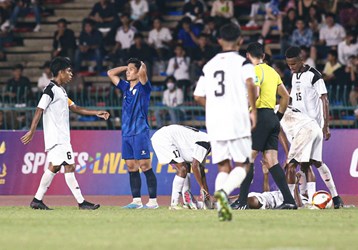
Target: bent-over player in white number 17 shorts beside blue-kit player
{"x":180,"y":145}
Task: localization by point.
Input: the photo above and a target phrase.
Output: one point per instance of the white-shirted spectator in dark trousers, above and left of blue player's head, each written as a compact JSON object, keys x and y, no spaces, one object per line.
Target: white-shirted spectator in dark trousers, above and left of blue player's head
{"x":124,"y":40}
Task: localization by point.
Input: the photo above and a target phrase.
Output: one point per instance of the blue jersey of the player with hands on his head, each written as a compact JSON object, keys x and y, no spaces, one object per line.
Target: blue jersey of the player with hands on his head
{"x":135,"y":107}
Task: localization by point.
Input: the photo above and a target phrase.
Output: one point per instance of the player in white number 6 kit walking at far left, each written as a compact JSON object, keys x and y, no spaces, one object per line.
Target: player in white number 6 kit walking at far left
{"x":55,"y":105}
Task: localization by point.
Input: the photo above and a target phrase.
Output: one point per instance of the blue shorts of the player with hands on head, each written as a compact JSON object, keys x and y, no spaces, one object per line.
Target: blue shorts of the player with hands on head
{"x":136,"y":147}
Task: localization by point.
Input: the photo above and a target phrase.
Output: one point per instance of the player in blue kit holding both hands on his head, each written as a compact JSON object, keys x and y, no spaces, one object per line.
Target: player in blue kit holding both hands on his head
{"x":135,"y":129}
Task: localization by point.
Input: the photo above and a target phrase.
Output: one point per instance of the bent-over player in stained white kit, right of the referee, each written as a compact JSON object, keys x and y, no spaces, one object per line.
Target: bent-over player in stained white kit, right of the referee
{"x":306,"y":148}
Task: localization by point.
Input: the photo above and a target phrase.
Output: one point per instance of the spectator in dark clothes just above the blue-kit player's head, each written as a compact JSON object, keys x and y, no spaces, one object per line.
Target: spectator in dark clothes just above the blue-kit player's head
{"x":141,"y":50}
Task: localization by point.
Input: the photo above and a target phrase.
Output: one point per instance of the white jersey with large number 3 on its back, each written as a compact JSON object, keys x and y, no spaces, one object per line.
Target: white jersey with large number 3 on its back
{"x":223,"y":83}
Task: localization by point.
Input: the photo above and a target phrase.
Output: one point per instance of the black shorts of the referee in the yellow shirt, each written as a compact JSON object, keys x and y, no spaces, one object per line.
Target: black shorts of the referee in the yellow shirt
{"x":265,"y":135}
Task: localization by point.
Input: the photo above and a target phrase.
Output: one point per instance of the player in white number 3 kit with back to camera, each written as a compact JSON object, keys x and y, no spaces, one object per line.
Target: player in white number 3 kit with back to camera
{"x":225,"y":89}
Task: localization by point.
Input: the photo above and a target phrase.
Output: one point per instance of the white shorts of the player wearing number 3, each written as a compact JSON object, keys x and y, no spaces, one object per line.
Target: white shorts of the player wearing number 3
{"x":238,"y":150}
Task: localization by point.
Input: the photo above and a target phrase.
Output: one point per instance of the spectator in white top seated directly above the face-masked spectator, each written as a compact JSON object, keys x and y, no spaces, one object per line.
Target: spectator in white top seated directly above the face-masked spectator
{"x":179,"y":67}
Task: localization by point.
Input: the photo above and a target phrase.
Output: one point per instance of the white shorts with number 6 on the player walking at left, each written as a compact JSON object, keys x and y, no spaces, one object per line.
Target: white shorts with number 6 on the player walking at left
{"x":61,"y":154}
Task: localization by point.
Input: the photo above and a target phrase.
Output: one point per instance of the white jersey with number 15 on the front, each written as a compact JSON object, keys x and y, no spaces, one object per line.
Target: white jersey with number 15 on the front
{"x":307,"y":88}
